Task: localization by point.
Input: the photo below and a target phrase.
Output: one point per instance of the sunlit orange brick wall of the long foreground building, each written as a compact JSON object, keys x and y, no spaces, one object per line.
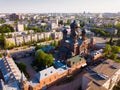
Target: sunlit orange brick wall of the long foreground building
{"x":57,"y":77}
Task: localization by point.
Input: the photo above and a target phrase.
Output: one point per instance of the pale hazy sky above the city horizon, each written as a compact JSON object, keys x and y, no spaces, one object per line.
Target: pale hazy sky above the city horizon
{"x":59,"y":6}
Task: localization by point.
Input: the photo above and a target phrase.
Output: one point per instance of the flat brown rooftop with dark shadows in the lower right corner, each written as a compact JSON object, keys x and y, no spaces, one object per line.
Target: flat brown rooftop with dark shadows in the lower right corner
{"x":103,"y":72}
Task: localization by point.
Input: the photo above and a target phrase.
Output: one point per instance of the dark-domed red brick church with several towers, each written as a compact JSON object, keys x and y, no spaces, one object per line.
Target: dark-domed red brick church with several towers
{"x":74,"y":43}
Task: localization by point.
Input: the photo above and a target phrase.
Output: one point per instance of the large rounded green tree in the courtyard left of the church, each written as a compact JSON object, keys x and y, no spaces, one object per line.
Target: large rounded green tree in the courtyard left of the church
{"x":44,"y":59}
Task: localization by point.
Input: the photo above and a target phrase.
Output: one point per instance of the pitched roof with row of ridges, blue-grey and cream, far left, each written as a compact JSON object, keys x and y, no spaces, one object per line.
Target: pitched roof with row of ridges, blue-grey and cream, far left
{"x":9,"y":69}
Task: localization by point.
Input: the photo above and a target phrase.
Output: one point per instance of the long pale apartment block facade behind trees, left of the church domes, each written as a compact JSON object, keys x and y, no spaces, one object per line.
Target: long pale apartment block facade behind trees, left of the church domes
{"x":23,"y":39}
